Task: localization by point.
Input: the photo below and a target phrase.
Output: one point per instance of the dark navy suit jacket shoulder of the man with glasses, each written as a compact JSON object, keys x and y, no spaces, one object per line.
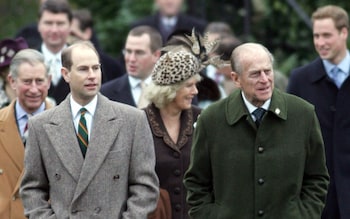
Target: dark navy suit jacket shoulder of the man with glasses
{"x":119,"y":90}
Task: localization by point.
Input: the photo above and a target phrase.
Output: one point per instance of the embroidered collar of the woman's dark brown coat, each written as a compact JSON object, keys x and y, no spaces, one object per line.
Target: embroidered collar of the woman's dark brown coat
{"x":159,"y":130}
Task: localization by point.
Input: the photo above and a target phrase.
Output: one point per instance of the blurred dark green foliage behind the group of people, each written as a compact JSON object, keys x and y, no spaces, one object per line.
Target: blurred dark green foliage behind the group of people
{"x":283,"y":26}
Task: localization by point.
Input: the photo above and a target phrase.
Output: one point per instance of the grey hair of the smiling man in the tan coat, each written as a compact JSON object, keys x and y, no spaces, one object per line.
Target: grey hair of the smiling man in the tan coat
{"x":29,"y":56}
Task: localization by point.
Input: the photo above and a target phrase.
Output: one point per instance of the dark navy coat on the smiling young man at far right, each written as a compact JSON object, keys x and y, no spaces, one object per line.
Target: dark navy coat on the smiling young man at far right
{"x":332,"y":107}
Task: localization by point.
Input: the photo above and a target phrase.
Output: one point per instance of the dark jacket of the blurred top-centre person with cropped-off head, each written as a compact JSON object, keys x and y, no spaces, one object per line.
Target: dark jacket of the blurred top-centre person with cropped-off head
{"x":184,"y":22}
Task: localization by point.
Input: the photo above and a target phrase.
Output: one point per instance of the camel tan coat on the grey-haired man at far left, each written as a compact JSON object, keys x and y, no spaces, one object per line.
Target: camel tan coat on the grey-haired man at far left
{"x":11,"y":163}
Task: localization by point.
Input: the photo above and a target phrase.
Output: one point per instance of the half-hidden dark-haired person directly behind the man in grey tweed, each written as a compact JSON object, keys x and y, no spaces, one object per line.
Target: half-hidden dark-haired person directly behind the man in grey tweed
{"x":82,"y":29}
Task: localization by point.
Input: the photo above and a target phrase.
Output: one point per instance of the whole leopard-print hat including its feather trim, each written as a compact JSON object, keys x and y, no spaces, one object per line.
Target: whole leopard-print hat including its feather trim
{"x":182,"y":61}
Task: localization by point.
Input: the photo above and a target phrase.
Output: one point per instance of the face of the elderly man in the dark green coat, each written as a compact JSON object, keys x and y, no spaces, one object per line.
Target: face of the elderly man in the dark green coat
{"x":256,"y":81}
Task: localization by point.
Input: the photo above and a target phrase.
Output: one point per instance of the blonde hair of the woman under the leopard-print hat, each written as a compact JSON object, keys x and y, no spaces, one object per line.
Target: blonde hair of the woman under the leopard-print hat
{"x":162,"y":95}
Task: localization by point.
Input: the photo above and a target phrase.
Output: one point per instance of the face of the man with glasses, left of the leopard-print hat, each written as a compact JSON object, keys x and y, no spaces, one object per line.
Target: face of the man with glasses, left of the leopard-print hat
{"x":139,"y":59}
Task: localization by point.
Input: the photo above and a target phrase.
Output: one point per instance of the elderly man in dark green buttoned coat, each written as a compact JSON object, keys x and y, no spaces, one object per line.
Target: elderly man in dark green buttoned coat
{"x":258,"y":153}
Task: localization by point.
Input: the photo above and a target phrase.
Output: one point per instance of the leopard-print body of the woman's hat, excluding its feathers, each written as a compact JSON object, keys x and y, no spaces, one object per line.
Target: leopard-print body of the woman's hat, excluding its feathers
{"x":174,"y":67}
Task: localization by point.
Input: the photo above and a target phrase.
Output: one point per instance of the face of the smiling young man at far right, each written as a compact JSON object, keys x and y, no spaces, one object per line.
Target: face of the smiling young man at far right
{"x":329,"y":42}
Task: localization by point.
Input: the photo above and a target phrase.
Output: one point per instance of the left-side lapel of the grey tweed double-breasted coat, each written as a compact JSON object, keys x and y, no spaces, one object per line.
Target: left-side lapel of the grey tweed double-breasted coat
{"x":59,"y":131}
